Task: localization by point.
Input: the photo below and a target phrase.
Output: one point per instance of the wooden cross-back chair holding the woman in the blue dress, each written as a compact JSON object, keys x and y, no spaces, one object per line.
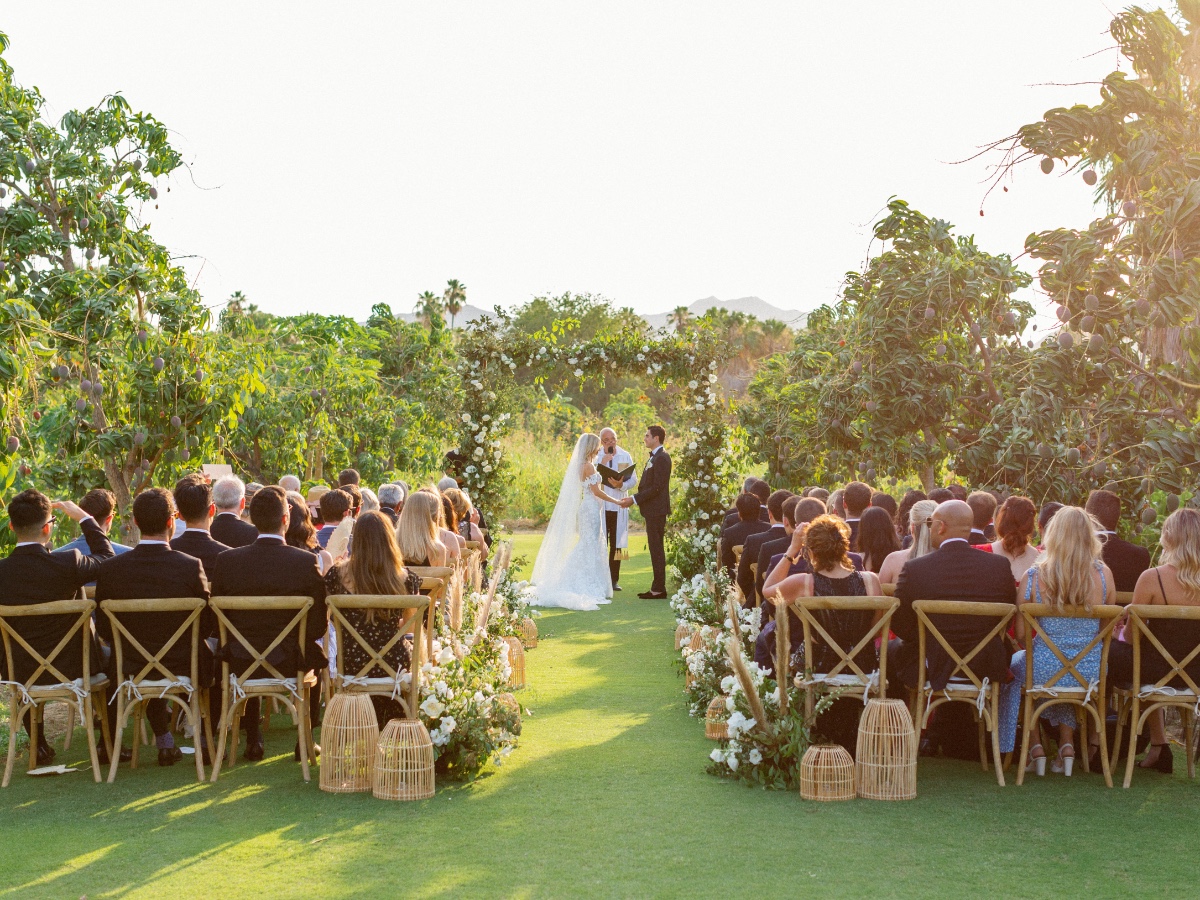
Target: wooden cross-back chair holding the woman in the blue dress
{"x":1090,"y":699}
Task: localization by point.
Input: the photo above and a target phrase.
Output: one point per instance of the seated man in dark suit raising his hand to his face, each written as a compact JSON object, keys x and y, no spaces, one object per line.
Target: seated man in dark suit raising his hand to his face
{"x":32,"y":574}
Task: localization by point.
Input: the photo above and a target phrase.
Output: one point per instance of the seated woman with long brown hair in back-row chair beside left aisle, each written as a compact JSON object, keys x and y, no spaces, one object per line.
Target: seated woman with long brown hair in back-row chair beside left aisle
{"x":376,"y":567}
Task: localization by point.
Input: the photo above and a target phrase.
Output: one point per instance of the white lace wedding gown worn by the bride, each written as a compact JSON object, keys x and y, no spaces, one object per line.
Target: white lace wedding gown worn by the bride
{"x":581,"y":580}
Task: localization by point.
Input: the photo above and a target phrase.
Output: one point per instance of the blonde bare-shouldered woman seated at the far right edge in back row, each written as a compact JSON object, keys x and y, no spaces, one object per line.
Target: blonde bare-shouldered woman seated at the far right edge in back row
{"x":1174,"y":583}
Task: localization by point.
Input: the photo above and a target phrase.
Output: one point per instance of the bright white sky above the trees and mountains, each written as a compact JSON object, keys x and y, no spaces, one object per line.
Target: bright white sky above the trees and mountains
{"x":655,"y":153}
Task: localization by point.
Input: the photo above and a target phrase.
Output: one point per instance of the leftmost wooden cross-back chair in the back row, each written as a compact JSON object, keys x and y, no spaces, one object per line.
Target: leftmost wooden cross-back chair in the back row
{"x":27,"y":695}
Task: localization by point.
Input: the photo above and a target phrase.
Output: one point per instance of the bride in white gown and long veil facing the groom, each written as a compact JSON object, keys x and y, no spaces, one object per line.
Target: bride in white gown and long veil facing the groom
{"x":572,"y":569}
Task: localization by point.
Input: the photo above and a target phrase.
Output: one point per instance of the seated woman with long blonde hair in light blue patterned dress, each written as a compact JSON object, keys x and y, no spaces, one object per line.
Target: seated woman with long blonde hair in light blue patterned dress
{"x":1069,"y":577}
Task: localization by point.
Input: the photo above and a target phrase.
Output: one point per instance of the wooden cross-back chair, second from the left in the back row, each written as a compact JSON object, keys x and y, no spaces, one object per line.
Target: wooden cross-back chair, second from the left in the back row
{"x":155,"y":680}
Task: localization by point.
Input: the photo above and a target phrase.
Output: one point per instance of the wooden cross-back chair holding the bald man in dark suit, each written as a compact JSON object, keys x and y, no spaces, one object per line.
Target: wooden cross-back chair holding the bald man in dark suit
{"x":965,"y":686}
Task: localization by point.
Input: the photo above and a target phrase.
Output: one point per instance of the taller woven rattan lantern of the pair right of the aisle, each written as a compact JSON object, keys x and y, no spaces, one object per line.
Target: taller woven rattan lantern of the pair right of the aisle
{"x":887,"y":752}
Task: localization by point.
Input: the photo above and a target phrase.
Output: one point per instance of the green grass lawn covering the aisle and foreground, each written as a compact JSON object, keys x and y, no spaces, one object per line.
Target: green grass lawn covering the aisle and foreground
{"x":605,"y":796}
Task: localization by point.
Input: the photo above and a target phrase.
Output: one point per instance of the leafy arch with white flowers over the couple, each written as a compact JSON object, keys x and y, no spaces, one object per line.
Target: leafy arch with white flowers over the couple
{"x":494,"y":358}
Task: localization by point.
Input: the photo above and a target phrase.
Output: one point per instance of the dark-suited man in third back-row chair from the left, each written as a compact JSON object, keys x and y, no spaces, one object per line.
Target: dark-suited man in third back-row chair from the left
{"x":271,"y":568}
